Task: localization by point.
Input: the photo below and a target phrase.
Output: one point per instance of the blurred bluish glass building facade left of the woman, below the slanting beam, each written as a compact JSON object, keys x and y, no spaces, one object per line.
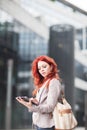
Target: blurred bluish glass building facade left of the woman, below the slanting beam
{"x":22,"y":46}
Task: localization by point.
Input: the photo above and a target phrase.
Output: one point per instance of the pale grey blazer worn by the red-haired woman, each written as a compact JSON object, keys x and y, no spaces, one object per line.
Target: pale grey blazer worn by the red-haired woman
{"x":47,"y":100}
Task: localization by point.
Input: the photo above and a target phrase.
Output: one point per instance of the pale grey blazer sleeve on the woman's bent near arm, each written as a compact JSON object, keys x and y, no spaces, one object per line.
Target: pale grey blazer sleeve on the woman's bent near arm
{"x":52,"y":98}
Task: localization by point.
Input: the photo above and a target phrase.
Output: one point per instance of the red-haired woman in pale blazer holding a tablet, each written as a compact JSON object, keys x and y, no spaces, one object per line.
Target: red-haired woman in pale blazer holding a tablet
{"x":47,"y":92}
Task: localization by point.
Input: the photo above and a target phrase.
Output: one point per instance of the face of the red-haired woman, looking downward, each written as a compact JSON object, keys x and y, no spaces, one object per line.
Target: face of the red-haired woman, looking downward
{"x":44,"y":68}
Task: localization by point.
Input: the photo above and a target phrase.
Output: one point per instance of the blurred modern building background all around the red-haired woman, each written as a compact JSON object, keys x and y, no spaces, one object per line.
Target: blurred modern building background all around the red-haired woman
{"x":30,"y":28}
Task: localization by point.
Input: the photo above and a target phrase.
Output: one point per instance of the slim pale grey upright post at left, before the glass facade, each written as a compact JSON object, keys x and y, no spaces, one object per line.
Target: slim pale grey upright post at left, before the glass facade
{"x":9,"y":94}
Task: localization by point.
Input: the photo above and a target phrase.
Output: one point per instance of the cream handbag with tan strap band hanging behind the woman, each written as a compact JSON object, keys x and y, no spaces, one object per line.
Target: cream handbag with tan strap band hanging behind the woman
{"x":63,"y":116}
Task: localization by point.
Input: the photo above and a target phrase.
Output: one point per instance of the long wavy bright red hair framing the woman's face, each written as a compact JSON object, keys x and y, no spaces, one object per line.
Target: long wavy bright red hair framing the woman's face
{"x":38,"y":79}
